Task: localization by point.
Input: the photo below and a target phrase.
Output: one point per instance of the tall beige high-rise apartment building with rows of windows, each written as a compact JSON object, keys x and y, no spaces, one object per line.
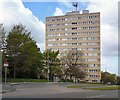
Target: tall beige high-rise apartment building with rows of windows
{"x":75,"y":31}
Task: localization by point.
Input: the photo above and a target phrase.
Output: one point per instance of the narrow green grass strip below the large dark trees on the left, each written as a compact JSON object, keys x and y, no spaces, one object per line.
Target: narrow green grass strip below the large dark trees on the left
{"x":26,"y":80}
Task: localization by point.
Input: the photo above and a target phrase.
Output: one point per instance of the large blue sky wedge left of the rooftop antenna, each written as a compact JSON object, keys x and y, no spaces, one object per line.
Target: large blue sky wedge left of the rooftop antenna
{"x":41,"y":9}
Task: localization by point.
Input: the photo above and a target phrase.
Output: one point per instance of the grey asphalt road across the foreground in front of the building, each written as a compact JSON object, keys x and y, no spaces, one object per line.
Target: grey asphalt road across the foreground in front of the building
{"x":56,"y":90}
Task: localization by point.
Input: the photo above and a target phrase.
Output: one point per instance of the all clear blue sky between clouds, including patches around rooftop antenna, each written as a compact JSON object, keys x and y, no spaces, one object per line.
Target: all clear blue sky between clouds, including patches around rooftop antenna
{"x":45,"y":9}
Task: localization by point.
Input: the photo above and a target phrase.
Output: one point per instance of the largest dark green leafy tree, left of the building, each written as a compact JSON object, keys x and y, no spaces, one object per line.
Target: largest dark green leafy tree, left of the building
{"x":25,"y":56}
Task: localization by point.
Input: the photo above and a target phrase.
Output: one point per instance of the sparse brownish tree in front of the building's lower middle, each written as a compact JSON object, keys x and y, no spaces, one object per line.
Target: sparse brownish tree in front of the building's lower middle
{"x":74,"y":64}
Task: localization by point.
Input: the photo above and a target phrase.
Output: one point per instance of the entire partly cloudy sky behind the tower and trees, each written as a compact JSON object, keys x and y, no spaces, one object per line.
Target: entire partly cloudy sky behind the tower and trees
{"x":32,"y":14}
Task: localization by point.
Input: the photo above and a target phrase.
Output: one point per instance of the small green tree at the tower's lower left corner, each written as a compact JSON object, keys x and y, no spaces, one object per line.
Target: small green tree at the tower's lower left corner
{"x":52,"y":63}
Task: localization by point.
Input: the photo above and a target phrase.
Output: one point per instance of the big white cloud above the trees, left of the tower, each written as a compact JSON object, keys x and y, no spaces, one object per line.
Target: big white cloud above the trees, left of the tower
{"x":13,"y":12}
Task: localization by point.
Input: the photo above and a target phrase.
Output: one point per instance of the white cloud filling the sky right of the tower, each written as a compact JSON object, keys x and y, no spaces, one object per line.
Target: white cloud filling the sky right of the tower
{"x":109,"y":32}
